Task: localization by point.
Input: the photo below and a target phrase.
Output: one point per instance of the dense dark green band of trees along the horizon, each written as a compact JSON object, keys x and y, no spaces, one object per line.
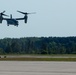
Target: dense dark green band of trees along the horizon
{"x":36,"y":45}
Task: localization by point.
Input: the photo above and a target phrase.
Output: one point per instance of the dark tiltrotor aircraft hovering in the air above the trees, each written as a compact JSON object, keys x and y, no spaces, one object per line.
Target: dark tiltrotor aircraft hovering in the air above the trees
{"x":14,"y":21}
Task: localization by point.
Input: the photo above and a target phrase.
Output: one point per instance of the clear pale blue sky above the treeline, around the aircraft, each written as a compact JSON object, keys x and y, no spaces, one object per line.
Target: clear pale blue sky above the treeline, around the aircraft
{"x":52,"y":18}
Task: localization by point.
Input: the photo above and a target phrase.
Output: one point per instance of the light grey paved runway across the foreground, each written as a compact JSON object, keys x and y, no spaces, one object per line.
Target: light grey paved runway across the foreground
{"x":37,"y":68}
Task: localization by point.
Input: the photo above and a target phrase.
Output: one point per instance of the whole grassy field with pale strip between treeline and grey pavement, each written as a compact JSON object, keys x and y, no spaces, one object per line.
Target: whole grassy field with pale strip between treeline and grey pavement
{"x":64,"y":57}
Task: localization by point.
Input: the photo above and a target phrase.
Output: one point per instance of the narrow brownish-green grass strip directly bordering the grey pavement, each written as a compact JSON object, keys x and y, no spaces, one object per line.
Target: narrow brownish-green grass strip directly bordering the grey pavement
{"x":37,"y":59}
